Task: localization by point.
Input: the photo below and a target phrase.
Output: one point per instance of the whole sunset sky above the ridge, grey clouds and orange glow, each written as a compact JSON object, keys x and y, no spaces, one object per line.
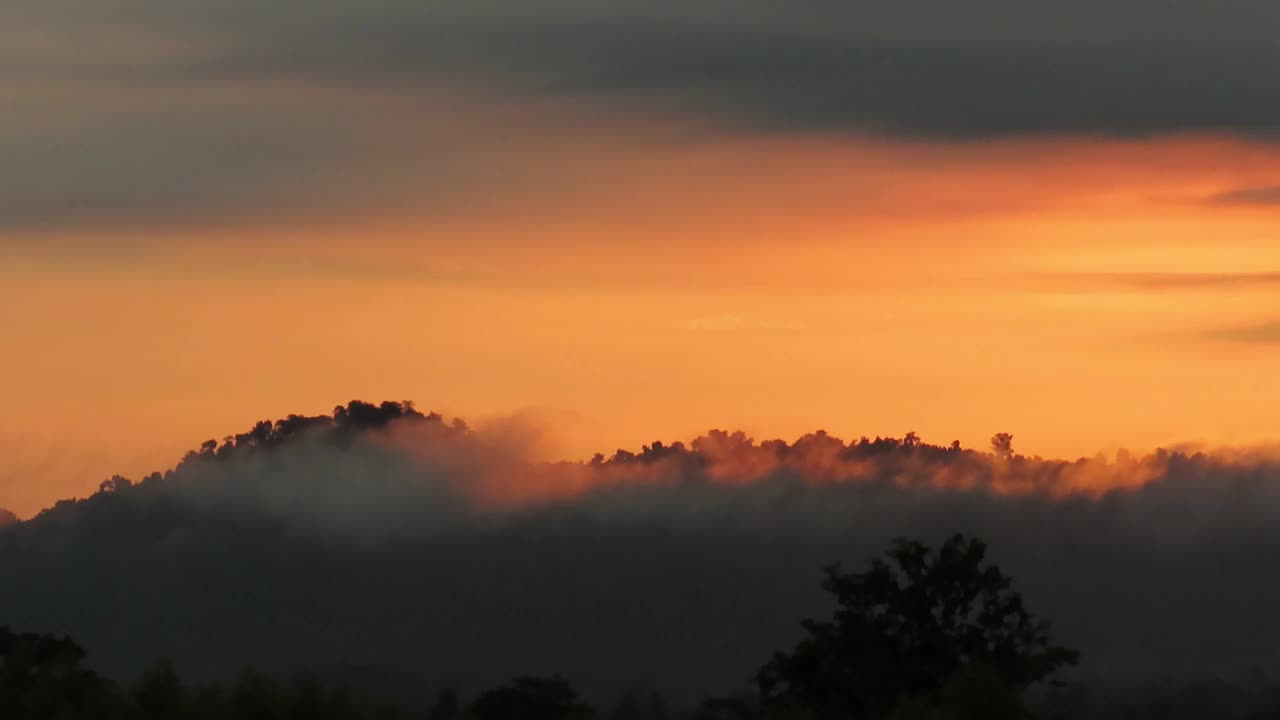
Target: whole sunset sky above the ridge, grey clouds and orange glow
{"x":637,"y":221}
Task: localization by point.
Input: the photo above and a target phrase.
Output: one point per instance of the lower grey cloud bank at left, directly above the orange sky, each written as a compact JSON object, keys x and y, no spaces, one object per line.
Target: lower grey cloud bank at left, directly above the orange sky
{"x":208,"y":158}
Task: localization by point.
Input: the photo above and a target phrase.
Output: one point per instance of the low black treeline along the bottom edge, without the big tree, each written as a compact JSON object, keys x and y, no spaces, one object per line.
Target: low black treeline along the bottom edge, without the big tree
{"x":63,"y":690}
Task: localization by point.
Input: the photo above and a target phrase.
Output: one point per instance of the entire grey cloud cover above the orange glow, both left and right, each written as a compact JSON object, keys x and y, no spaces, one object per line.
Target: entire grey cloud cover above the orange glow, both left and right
{"x":149,"y":113}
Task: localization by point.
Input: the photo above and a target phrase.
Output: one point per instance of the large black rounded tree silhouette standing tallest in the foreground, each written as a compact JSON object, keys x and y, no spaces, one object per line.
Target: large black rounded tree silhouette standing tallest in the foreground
{"x":906,"y":628}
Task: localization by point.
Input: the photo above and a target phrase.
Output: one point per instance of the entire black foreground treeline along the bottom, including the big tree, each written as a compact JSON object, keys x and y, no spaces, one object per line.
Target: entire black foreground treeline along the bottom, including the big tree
{"x":921,"y":635}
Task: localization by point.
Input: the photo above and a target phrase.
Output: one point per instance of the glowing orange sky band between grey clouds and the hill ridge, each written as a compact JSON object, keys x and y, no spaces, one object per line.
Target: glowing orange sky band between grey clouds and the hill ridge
{"x":1081,"y":294}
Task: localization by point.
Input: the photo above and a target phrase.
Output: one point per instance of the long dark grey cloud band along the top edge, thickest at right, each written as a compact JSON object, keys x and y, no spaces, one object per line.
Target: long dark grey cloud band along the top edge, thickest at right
{"x":915,"y":69}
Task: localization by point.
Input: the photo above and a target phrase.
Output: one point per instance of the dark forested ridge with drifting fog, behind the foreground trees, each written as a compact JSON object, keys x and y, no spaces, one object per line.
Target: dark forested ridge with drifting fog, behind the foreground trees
{"x":385,"y":537}
